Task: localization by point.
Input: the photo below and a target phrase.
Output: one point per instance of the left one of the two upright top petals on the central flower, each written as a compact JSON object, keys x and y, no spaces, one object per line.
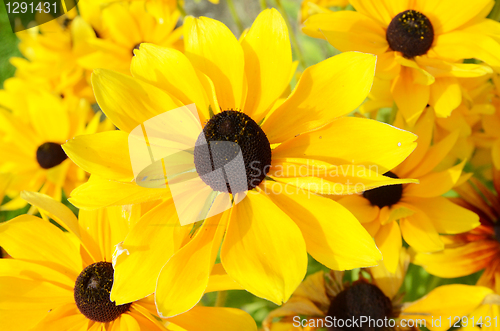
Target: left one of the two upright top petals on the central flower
{"x":213,"y":49}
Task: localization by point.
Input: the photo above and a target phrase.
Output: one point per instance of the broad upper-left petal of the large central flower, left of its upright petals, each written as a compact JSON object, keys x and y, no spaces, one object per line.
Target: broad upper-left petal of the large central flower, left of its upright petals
{"x":127,"y":101}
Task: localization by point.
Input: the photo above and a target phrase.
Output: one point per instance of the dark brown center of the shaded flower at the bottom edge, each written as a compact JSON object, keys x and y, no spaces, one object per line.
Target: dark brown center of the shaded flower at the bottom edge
{"x":360,"y":300}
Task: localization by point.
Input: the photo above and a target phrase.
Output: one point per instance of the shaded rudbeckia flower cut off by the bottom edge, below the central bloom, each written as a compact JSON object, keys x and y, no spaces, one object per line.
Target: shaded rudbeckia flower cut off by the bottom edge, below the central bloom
{"x":321,"y":298}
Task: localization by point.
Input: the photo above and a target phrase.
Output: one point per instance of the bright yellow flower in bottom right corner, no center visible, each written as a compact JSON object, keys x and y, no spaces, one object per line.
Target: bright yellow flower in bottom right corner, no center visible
{"x":461,"y":306}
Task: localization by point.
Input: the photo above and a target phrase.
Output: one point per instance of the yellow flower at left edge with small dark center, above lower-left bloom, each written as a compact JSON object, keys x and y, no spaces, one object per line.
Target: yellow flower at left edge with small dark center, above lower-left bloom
{"x":31,"y":134}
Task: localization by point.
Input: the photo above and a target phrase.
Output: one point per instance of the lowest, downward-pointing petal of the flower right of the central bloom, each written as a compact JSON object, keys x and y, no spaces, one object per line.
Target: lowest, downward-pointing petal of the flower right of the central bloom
{"x":388,"y":240}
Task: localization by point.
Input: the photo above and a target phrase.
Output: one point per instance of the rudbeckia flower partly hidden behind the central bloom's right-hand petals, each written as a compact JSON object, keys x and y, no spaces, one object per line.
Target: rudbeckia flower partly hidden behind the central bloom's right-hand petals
{"x":416,"y":212}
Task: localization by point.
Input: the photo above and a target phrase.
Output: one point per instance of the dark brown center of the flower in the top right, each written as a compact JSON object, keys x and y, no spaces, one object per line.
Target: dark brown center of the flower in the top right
{"x":411,"y":33}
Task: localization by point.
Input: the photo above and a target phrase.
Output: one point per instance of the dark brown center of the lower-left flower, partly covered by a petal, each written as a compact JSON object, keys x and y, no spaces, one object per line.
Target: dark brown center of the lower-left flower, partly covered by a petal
{"x":92,"y":289}
